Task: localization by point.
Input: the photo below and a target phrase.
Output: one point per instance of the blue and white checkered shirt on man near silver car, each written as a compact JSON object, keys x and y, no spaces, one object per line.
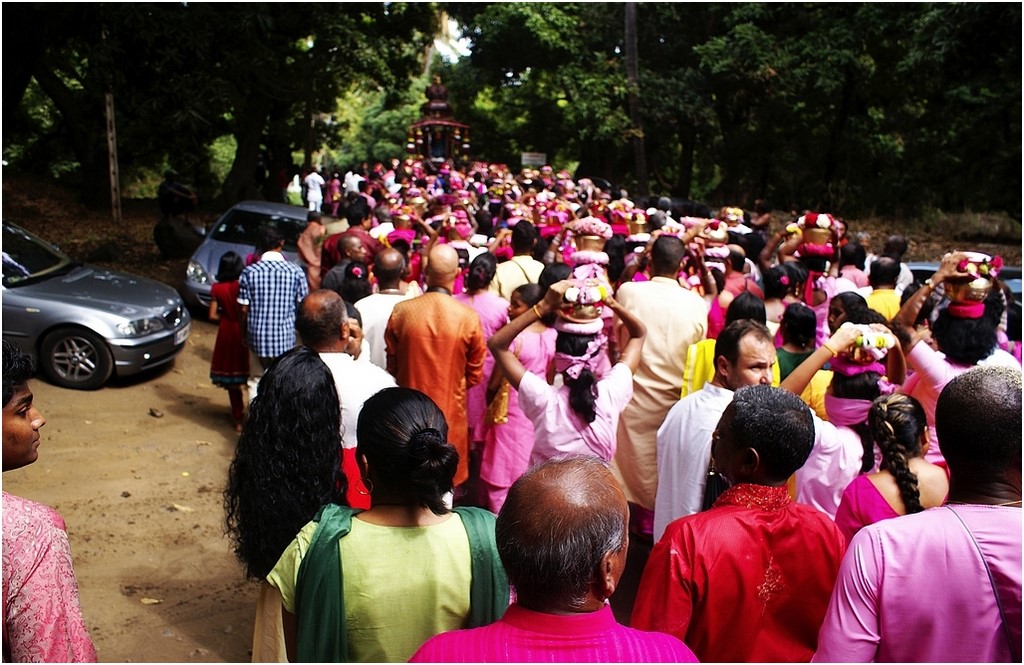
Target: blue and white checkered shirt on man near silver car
{"x":273,"y":289}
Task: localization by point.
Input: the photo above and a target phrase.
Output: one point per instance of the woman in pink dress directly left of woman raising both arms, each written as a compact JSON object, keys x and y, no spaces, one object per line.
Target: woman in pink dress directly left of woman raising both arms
{"x":507,"y":445}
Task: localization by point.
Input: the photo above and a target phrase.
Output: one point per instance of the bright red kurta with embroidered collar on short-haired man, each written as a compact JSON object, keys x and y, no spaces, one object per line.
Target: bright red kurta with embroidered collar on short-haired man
{"x":747,"y":581}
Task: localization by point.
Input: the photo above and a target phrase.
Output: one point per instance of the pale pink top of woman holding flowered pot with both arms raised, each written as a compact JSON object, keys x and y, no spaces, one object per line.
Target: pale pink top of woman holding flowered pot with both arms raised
{"x":560,"y":432}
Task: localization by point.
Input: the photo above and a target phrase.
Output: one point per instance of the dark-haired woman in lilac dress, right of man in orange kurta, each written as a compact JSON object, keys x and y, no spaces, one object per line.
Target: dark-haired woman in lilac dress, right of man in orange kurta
{"x":493,"y":311}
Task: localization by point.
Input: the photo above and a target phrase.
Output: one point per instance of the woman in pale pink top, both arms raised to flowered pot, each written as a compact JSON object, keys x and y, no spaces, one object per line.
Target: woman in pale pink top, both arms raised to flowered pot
{"x":581,"y":417}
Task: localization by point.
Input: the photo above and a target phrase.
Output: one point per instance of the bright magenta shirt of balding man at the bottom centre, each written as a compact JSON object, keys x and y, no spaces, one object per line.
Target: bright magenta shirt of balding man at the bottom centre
{"x":526,"y":637}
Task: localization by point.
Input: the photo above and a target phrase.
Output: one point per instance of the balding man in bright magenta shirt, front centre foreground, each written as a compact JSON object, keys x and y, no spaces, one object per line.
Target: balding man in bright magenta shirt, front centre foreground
{"x":563,"y":538}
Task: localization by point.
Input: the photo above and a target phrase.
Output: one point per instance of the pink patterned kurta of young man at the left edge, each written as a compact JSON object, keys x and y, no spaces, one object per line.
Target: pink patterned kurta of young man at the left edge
{"x":41,"y":612}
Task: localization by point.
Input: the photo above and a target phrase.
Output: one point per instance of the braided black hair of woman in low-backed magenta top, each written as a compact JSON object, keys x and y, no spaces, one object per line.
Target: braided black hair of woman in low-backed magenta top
{"x":898,"y":423}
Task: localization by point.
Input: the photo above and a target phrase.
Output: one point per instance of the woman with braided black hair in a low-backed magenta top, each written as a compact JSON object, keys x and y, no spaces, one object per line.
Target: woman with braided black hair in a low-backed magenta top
{"x":906,"y":483}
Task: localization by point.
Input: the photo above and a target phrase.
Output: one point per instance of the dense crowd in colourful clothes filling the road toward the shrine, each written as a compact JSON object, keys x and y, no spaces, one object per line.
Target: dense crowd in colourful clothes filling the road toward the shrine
{"x":480,"y":389}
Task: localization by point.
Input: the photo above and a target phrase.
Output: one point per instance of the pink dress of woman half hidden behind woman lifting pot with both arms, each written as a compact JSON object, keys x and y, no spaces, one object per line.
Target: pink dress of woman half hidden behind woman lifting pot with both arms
{"x":507,"y":447}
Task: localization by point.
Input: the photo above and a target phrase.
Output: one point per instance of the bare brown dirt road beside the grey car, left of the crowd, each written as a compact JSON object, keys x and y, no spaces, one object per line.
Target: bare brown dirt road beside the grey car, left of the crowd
{"x":142,"y":496}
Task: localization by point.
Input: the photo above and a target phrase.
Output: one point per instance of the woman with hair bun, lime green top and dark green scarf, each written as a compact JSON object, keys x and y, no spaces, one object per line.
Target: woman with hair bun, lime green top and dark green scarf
{"x":410,"y":567}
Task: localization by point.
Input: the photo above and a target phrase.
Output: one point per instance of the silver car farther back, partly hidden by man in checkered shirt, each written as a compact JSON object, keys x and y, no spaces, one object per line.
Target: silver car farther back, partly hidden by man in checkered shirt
{"x":237,"y":231}
